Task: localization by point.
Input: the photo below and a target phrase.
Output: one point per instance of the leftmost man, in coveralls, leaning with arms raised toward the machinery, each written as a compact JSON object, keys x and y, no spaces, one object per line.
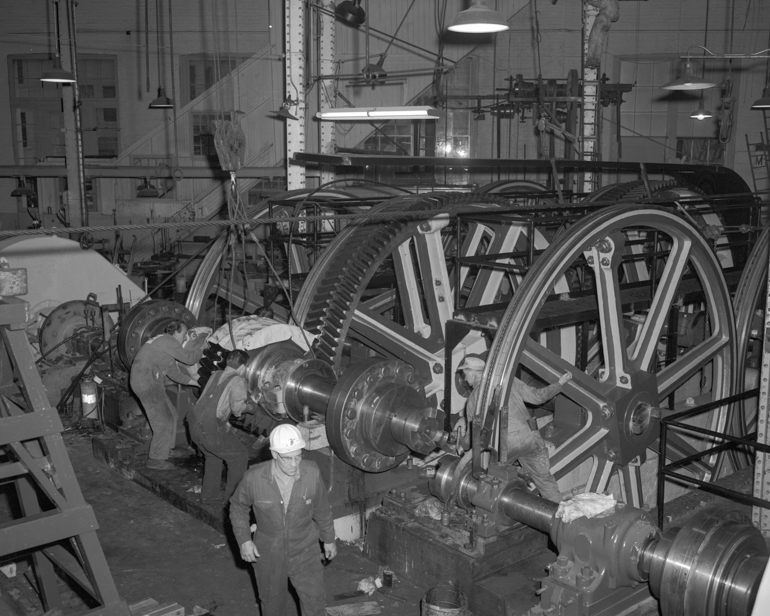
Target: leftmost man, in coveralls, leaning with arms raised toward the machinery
{"x":155,"y":362}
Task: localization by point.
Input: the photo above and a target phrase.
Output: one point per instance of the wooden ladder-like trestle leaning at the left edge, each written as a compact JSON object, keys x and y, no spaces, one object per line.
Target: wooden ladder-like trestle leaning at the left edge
{"x":56,"y":525}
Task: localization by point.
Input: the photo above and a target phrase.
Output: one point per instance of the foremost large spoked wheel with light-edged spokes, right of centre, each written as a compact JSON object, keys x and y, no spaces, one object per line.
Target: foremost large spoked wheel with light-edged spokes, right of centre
{"x":605,"y":419}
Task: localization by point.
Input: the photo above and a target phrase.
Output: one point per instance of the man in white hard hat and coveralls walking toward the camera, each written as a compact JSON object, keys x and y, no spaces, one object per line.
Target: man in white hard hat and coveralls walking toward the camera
{"x":288,"y":497}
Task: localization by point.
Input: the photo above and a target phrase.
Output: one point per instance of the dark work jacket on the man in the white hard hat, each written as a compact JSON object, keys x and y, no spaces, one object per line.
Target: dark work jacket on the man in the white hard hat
{"x":288,"y":532}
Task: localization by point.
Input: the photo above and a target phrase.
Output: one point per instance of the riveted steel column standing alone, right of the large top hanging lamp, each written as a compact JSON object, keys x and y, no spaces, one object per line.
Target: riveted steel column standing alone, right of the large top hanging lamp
{"x":591,"y":112}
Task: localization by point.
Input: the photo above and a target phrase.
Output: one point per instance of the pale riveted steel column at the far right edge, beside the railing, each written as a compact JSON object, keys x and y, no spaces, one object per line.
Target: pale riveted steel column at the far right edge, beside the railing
{"x":759,"y":515}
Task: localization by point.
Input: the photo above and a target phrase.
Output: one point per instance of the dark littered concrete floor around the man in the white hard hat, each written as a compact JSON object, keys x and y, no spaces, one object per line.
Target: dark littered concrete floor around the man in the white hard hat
{"x":155,"y":550}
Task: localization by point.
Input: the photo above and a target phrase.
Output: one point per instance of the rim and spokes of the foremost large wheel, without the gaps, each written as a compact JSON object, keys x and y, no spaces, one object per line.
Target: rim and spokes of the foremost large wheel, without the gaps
{"x":601,"y":432}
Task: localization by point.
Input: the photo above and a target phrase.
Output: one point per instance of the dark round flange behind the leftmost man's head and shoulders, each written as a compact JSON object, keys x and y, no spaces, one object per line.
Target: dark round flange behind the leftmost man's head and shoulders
{"x":147,"y":320}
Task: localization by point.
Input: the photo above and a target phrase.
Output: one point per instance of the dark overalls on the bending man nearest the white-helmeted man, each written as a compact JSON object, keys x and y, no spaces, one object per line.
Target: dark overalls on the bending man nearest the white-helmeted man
{"x":217,"y":444}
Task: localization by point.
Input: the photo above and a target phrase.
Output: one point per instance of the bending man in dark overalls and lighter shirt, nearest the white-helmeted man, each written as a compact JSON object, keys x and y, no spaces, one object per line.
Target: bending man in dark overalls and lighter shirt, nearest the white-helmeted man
{"x":226,"y":393}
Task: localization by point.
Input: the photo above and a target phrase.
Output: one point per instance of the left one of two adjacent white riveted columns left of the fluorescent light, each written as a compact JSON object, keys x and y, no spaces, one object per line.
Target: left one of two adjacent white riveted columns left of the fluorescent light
{"x":294,"y":35}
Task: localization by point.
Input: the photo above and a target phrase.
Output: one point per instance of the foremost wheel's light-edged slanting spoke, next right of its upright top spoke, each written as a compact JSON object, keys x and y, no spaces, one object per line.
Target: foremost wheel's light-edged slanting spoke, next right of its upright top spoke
{"x":645,"y":351}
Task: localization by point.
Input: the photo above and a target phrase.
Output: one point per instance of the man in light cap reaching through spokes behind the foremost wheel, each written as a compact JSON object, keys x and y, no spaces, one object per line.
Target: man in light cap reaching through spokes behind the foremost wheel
{"x":524,"y":440}
